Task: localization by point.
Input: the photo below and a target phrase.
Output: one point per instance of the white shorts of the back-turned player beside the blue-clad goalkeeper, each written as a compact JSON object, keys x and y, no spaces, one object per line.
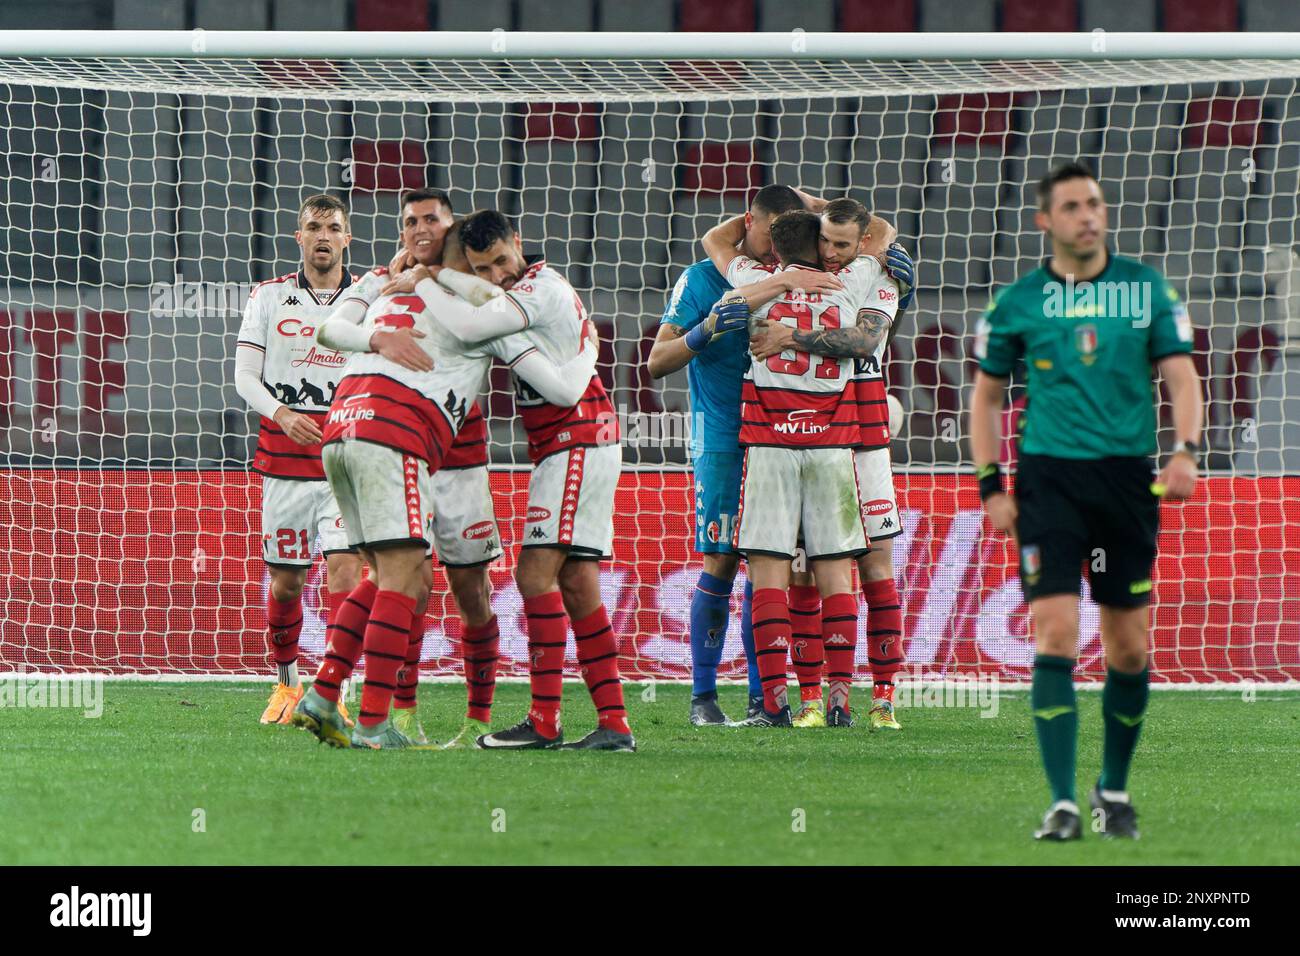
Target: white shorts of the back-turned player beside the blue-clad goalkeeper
{"x":786,"y":490}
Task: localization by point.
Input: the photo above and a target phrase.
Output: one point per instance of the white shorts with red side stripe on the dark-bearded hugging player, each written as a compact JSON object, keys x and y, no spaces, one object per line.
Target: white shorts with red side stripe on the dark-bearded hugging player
{"x":571,"y":501}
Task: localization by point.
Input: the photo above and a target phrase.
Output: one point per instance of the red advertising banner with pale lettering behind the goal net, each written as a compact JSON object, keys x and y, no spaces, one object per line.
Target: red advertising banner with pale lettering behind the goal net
{"x":161,"y":573}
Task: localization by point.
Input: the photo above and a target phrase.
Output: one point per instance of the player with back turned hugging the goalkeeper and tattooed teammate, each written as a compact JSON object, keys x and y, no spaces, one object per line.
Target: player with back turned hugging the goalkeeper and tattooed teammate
{"x":800,"y":426}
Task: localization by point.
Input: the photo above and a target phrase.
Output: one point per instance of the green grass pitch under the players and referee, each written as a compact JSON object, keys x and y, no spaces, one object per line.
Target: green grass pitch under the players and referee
{"x":1215,"y":782}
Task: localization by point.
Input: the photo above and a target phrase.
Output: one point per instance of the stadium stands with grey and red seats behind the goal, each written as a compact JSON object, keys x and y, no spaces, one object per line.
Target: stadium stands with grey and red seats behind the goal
{"x":110,"y":197}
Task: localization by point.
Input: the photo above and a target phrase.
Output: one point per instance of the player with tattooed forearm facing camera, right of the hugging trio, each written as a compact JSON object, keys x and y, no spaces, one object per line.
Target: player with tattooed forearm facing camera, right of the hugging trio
{"x":850,"y":232}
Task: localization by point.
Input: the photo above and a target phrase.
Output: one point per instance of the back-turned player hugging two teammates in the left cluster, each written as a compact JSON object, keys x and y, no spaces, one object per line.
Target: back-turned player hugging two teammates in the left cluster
{"x":404,"y":399}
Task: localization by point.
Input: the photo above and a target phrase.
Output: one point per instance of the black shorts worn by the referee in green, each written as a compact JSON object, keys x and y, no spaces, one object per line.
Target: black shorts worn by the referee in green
{"x":1098,"y":516}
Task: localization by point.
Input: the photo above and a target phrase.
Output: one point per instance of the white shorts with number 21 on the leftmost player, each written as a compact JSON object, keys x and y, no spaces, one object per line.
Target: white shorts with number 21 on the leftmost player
{"x":297,"y":514}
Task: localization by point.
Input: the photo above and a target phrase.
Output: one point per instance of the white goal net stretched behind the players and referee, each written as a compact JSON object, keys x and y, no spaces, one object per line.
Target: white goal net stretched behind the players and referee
{"x":142,"y":197}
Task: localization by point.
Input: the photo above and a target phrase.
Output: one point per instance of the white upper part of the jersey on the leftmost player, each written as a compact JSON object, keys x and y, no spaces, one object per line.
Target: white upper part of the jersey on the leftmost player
{"x":281,"y":321}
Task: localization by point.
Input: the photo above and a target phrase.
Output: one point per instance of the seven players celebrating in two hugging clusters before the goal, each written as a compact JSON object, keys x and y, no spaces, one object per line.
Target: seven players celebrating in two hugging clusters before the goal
{"x":372,"y":443}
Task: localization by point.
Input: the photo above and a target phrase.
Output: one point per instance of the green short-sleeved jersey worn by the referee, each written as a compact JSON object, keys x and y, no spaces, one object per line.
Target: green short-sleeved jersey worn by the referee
{"x":1089,"y":351}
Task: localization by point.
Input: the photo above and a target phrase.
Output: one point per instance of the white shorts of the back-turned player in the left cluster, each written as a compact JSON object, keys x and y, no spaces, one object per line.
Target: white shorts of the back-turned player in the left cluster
{"x":387,"y":498}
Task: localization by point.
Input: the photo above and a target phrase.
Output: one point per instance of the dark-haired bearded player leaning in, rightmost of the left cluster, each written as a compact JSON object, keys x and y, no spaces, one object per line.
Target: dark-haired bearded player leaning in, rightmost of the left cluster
{"x":570,"y":527}
